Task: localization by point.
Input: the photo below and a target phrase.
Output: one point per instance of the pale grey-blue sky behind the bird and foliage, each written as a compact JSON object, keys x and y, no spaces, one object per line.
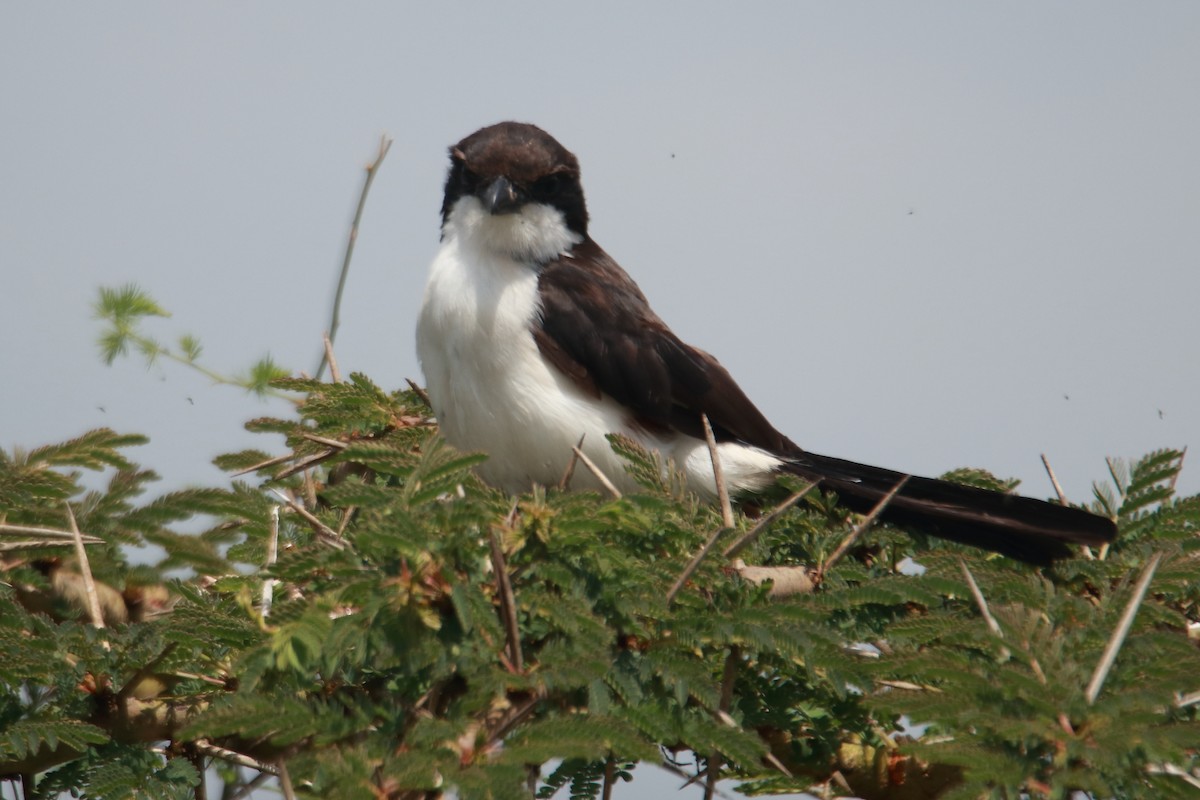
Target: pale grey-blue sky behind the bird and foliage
{"x":921,"y":236}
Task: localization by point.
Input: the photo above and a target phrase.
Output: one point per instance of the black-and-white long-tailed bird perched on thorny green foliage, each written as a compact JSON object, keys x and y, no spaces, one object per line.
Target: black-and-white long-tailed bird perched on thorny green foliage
{"x":533,"y":339}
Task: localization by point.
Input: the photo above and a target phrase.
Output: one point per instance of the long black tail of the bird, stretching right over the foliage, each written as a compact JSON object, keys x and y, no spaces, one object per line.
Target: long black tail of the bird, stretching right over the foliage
{"x":1023,"y":528}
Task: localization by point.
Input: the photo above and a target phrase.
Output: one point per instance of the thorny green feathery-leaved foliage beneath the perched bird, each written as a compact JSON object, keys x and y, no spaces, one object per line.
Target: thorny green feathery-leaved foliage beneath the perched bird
{"x":383,"y":665}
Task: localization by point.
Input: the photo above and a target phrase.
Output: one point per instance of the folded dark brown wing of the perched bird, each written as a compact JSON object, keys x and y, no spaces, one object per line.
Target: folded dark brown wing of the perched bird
{"x":598,"y":328}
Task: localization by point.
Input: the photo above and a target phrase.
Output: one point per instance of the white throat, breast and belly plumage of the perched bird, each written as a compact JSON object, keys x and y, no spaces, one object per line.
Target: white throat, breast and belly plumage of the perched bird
{"x":491,"y":389}
